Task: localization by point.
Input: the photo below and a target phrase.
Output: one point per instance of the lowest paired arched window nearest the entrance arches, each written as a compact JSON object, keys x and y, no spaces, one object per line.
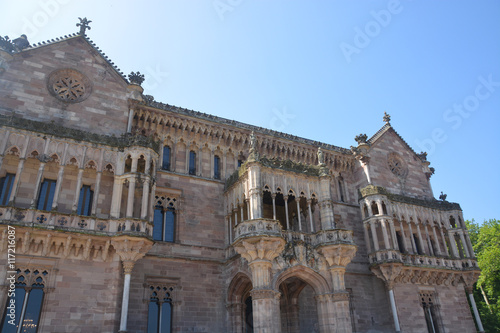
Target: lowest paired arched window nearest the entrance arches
{"x":160,"y":310}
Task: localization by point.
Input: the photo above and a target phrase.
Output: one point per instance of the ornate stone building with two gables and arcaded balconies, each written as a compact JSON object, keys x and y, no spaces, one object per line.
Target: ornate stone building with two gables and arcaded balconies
{"x":121,"y":213}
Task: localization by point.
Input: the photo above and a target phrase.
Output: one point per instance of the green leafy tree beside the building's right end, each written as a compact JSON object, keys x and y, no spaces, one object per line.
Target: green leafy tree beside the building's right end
{"x":485,"y":240}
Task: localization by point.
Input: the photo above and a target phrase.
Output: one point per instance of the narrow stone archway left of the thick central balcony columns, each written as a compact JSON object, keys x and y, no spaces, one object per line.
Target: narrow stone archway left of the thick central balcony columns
{"x":240,"y":317}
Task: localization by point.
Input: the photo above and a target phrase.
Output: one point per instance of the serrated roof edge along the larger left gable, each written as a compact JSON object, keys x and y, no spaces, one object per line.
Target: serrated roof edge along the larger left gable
{"x":13,"y":49}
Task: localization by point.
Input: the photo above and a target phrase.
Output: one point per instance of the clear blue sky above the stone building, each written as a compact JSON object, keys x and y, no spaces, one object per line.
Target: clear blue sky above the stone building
{"x":324,"y":70}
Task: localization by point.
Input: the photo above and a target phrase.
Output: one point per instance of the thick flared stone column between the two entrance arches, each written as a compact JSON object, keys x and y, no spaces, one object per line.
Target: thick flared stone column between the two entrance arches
{"x":260,"y":251}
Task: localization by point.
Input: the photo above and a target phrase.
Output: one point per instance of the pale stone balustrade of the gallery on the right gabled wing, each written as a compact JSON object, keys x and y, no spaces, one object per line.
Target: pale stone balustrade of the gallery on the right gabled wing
{"x":414,"y":260}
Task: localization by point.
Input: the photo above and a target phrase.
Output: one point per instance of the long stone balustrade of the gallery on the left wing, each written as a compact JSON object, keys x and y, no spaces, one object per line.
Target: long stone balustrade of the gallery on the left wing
{"x":71,"y":222}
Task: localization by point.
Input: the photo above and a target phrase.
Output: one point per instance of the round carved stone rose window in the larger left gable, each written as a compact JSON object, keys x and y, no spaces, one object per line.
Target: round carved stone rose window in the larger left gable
{"x":69,"y":85}
